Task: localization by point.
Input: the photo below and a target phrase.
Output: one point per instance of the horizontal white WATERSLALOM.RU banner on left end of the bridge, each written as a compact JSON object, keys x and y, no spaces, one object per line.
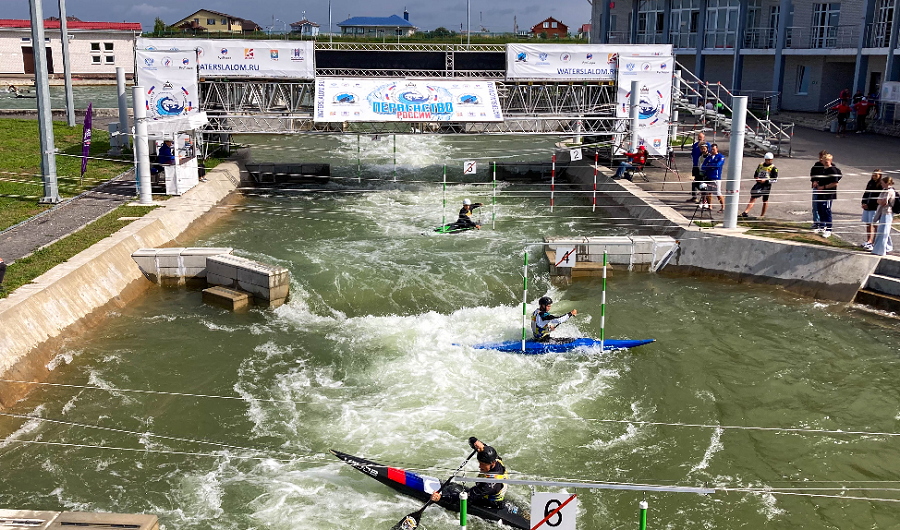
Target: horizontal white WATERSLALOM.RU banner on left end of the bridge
{"x":264,"y":59}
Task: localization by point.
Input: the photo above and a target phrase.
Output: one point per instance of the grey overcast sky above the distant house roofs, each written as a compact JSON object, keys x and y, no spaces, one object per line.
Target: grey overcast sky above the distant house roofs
{"x":495,"y":15}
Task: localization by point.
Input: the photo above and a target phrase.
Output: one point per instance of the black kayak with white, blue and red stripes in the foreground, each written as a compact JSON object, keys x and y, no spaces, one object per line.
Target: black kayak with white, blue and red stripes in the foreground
{"x":421,"y":487}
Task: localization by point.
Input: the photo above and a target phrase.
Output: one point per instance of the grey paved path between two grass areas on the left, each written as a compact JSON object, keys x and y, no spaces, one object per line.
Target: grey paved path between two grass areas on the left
{"x":65,"y":218}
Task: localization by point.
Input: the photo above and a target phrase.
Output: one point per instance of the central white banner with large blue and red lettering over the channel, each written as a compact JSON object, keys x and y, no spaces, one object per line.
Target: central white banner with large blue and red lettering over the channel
{"x":406,"y":100}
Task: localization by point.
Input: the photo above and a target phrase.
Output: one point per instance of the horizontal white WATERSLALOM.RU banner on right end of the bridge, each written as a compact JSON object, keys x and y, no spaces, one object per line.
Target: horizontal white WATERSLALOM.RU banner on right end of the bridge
{"x":572,"y":62}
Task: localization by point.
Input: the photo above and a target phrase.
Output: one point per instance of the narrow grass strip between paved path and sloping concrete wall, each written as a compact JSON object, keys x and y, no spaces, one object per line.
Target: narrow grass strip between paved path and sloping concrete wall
{"x":25,"y":270}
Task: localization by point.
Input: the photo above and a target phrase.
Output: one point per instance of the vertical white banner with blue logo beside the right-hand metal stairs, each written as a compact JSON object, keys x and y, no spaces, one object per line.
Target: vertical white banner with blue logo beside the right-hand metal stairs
{"x":654,"y":76}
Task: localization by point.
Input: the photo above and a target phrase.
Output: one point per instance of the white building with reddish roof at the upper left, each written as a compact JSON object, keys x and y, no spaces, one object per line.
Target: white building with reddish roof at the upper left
{"x":95,"y":48}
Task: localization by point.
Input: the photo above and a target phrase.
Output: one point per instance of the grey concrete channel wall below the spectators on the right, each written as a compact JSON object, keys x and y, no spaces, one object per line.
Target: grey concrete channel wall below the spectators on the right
{"x":822,"y":272}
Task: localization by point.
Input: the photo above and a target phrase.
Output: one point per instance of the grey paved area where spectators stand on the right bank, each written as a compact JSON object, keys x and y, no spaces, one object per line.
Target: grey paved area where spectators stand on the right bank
{"x":791,"y":200}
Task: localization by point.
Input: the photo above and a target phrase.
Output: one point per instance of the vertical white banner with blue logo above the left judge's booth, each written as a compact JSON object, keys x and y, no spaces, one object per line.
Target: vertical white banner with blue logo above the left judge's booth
{"x":169,"y":80}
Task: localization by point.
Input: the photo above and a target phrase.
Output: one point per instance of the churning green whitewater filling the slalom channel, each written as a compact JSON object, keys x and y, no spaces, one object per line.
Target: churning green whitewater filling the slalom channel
{"x":364,"y":359}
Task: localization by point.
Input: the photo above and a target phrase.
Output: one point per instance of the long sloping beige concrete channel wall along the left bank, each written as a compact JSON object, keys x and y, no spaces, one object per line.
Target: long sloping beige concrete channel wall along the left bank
{"x":76,"y":294}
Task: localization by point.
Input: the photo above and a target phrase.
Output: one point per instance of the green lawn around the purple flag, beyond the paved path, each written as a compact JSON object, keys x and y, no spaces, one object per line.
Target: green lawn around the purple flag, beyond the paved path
{"x":20,"y":166}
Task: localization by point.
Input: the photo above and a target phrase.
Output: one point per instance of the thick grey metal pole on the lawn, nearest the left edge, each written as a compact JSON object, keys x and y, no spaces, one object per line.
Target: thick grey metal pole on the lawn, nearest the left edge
{"x":45,"y":118}
